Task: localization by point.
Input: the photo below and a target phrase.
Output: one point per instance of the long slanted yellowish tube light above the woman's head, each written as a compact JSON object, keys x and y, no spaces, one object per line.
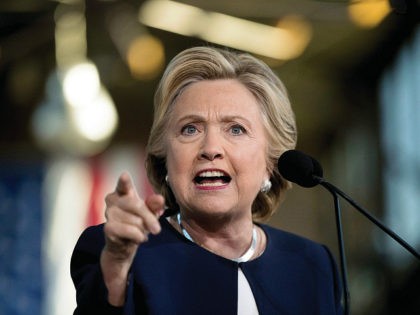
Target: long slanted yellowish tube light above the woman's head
{"x":274,"y":42}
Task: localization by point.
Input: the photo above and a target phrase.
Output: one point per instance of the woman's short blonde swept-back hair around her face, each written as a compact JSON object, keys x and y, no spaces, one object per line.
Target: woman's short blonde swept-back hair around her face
{"x":209,"y":63}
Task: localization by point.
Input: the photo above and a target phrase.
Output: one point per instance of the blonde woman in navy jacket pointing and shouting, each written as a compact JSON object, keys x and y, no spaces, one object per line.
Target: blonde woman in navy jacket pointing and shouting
{"x":221,"y":121}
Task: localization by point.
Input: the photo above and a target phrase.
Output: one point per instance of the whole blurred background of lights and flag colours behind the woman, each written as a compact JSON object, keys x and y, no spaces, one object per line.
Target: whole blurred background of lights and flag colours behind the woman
{"x":77,"y":79}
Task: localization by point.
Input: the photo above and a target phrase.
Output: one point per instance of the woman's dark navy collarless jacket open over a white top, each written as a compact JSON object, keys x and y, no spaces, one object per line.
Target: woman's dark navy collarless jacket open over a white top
{"x":171,"y":275}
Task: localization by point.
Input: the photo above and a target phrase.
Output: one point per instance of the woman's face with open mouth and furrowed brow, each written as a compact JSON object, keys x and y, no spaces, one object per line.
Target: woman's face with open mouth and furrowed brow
{"x":216,"y":148}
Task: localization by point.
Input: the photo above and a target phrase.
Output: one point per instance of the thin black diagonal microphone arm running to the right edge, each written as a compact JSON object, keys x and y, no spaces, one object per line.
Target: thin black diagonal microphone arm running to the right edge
{"x":374,"y":220}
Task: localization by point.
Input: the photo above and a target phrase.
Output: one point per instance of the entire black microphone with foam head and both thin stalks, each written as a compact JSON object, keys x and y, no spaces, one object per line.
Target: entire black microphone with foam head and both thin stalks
{"x":304,"y":170}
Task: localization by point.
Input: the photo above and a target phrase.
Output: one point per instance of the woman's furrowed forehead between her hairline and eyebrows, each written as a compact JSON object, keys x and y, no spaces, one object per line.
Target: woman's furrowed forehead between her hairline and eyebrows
{"x":226,"y":96}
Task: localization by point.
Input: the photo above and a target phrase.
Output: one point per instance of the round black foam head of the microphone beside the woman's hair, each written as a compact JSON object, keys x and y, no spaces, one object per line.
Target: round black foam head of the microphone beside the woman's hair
{"x":300,"y":168}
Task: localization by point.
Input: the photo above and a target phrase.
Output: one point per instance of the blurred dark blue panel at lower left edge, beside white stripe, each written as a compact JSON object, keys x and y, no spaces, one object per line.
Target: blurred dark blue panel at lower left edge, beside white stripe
{"x":20,"y":237}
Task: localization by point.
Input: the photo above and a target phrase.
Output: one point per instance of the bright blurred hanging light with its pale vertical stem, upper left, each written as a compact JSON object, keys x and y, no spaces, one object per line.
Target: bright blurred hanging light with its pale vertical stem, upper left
{"x":78,"y":115}
